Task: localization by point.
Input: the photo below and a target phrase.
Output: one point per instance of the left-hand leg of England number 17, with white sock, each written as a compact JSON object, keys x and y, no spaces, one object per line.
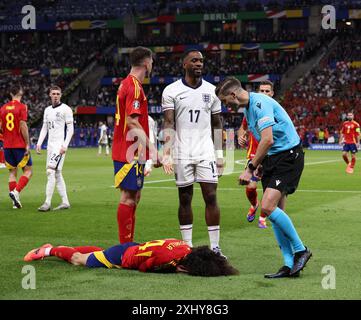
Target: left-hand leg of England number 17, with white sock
{"x":185,"y":213}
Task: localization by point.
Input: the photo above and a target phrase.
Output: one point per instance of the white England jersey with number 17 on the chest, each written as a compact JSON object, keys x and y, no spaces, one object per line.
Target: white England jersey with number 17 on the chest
{"x":193,"y":108}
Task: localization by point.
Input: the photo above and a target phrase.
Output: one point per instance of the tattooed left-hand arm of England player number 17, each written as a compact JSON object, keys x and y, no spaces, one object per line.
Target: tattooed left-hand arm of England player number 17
{"x":169,"y":131}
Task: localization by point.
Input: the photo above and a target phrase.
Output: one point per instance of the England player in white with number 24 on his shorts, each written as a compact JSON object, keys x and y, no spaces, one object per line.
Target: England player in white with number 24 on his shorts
{"x":56,"y":118}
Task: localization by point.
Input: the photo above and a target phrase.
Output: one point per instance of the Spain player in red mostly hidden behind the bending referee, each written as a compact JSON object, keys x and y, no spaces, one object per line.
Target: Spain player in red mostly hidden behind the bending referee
{"x":265,"y":87}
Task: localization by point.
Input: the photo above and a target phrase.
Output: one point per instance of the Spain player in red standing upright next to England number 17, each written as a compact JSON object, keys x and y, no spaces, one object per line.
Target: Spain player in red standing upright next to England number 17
{"x":130,"y":143}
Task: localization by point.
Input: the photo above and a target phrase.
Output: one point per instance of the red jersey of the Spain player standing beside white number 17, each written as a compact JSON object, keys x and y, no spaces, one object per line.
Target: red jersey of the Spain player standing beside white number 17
{"x":130,"y":100}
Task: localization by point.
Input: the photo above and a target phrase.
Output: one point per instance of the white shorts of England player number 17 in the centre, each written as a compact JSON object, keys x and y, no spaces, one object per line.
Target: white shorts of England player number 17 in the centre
{"x":188,"y":172}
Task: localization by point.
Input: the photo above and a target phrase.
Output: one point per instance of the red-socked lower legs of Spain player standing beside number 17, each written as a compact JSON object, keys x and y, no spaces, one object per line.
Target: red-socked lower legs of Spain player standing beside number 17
{"x":126,"y":214}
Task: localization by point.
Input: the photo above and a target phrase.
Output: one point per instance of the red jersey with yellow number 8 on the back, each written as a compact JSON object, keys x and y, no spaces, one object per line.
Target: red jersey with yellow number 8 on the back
{"x":11,"y":114}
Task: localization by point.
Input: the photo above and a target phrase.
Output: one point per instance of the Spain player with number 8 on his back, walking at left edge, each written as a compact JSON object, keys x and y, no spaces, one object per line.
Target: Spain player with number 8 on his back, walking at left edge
{"x":13,"y":117}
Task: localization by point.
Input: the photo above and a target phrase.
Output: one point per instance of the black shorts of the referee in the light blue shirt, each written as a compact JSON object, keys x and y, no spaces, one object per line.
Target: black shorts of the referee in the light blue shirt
{"x":282,"y":171}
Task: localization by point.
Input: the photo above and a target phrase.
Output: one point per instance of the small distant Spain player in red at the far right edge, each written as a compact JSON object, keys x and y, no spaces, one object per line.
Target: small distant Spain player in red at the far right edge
{"x":350,"y":138}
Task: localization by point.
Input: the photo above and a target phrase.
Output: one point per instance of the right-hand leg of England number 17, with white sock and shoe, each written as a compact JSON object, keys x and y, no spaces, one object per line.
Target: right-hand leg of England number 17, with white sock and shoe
{"x":209,"y":192}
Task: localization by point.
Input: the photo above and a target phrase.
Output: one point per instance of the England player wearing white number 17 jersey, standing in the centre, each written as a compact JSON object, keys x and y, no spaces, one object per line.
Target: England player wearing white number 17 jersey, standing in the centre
{"x":192,"y":109}
